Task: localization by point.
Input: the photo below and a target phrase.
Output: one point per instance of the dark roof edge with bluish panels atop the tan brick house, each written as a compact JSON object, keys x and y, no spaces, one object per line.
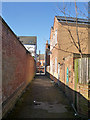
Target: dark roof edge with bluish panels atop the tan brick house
{"x":72,"y":20}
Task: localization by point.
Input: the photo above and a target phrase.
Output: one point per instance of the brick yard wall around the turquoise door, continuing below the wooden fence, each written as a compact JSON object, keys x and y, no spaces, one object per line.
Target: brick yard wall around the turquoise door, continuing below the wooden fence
{"x":76,"y":95}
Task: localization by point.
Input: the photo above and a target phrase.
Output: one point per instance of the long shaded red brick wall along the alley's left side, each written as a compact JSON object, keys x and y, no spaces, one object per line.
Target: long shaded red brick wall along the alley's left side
{"x":18,"y":66}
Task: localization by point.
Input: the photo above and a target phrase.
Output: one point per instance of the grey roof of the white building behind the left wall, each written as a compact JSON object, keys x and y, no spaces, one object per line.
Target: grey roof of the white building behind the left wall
{"x":28,"y":40}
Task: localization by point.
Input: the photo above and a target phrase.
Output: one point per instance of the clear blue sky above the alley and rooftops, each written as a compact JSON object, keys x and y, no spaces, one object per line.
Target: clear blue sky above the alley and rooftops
{"x":34,"y":18}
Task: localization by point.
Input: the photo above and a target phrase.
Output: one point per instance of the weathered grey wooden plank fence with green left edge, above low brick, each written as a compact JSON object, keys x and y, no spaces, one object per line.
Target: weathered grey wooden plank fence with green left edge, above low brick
{"x":82,"y":68}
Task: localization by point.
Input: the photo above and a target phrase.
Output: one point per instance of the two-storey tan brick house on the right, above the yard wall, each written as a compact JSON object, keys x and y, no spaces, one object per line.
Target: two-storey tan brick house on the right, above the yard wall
{"x":61,"y":43}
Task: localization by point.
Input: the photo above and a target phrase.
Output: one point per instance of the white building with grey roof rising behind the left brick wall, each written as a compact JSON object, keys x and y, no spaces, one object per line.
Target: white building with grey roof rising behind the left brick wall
{"x":30,"y":43}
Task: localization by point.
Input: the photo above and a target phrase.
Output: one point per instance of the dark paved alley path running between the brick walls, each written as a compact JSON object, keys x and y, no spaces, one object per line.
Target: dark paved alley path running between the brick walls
{"x":42,"y":100}
